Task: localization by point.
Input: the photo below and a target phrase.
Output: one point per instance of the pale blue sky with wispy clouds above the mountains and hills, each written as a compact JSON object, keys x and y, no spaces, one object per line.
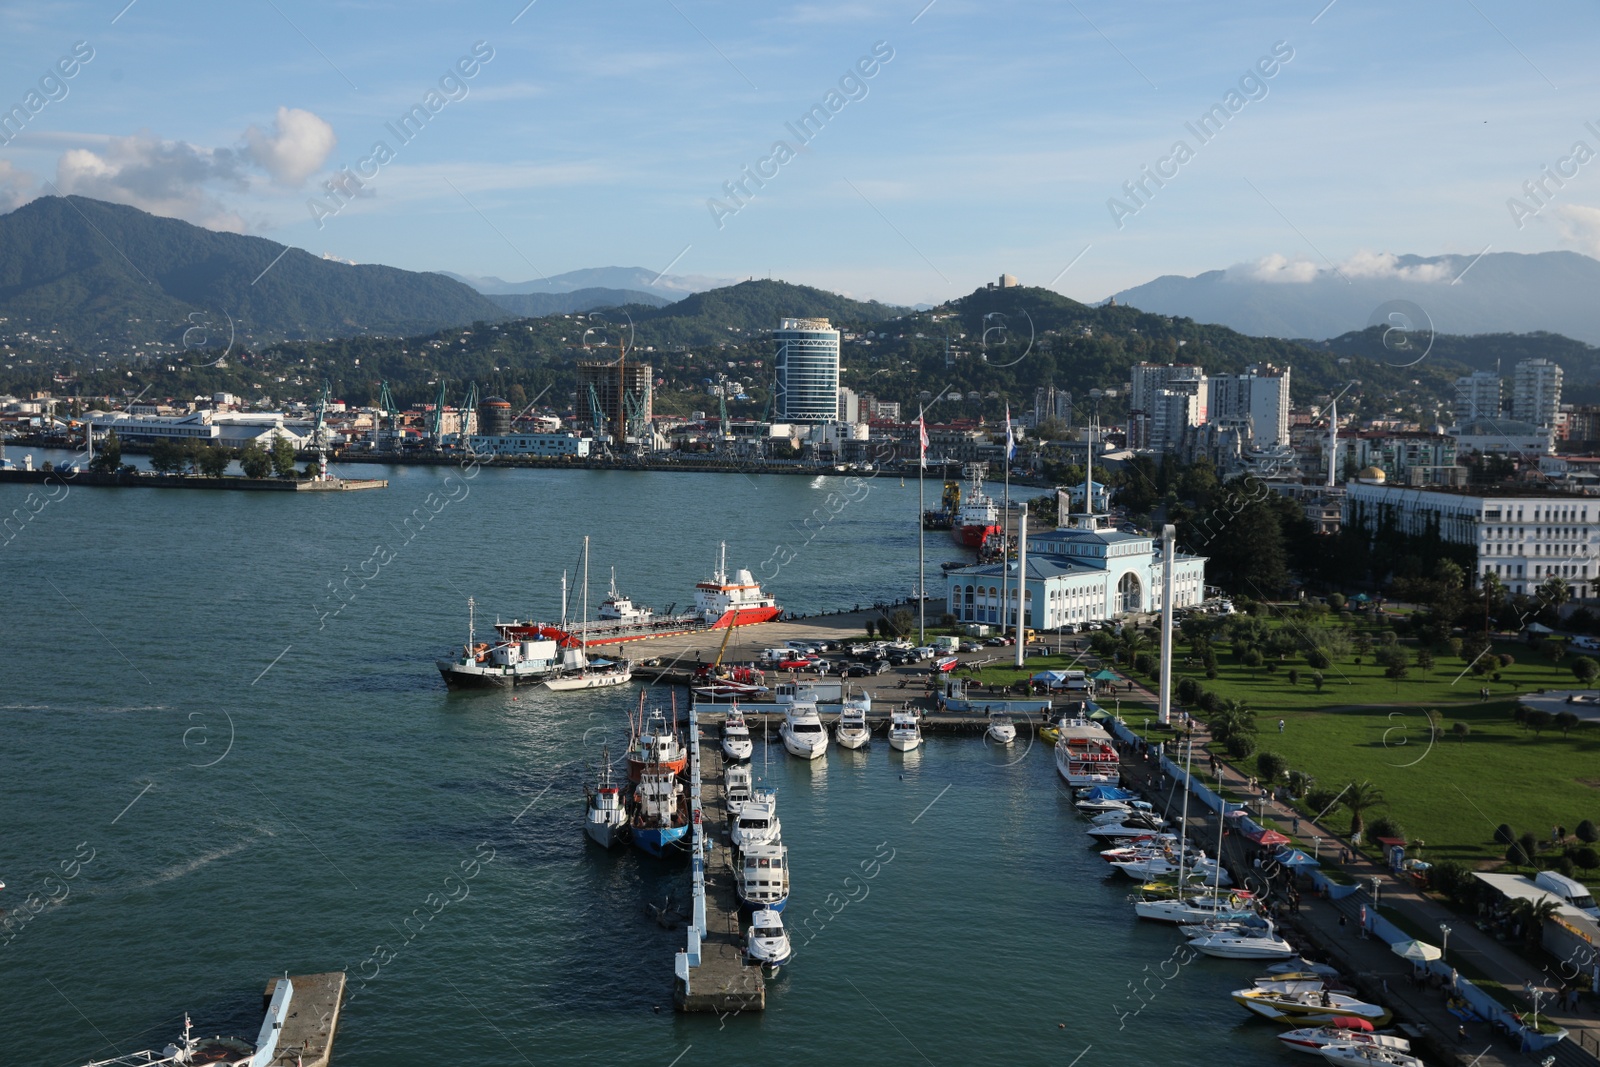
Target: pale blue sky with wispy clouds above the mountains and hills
{"x":948,"y":143}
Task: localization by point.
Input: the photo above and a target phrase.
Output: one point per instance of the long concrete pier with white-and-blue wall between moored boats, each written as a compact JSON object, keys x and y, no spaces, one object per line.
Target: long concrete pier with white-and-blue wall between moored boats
{"x":711,"y":972}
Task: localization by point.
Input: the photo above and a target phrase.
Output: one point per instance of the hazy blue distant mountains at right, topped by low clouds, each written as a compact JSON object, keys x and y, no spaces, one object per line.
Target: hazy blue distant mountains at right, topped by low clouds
{"x":1447,"y":295}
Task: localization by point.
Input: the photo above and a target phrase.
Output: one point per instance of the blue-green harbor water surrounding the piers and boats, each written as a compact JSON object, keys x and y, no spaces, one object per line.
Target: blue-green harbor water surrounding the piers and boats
{"x":220,"y":761}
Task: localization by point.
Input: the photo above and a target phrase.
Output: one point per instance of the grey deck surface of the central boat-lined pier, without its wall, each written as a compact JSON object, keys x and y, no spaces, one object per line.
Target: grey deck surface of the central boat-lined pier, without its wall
{"x":722,"y":983}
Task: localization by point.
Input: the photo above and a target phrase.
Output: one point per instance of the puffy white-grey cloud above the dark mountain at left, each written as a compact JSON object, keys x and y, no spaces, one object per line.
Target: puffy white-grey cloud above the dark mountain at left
{"x":166,"y":178}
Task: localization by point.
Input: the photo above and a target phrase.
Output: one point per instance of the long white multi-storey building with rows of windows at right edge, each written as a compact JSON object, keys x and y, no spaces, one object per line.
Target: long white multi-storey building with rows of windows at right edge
{"x":1522,"y":538}
